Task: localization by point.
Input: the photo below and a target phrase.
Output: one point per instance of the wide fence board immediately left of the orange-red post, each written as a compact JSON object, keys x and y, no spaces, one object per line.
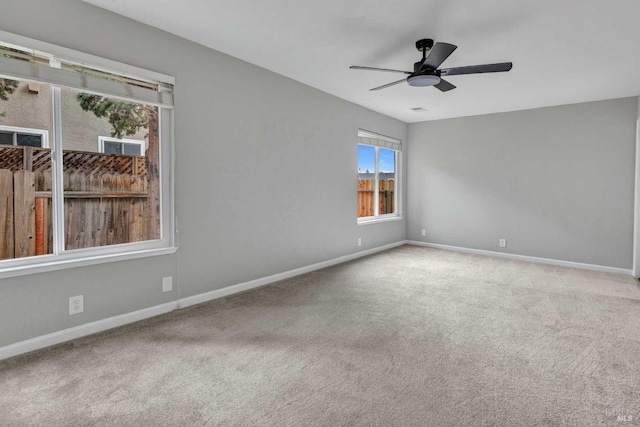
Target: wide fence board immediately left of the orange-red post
{"x":24,"y":214}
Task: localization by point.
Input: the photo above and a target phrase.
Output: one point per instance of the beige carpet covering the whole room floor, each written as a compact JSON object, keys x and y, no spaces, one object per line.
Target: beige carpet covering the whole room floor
{"x":409,"y":337}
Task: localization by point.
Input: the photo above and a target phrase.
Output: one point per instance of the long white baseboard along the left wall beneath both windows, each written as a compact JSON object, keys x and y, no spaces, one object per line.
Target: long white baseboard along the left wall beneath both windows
{"x":58,"y":337}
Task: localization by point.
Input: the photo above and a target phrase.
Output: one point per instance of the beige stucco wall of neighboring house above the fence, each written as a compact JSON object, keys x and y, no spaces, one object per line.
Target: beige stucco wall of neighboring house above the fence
{"x":81,"y":129}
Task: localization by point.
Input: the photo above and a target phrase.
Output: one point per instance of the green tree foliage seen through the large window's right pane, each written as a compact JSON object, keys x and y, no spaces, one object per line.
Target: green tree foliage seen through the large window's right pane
{"x":126,"y":118}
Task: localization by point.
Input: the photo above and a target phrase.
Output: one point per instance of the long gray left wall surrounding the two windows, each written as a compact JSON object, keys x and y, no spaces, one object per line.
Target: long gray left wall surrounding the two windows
{"x":265,"y":174}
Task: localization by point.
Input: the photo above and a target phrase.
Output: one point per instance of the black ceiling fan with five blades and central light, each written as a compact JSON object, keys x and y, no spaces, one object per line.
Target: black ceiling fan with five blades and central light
{"x":426,"y":73}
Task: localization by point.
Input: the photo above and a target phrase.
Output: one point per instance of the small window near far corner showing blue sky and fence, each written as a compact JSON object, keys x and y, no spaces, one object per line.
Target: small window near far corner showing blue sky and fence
{"x":378,"y":164}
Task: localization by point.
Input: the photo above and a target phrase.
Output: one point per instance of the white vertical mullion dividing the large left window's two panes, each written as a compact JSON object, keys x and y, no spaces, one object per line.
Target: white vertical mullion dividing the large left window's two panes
{"x":57,"y":180}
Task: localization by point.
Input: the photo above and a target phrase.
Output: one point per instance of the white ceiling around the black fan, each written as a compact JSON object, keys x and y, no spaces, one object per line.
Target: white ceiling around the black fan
{"x":563,"y":51}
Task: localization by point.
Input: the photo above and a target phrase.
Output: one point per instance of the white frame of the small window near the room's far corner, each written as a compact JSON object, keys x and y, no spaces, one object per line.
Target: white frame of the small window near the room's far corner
{"x":380,"y":141}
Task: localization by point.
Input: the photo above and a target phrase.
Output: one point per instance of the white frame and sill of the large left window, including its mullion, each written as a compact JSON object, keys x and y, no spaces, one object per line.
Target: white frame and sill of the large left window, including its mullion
{"x":62,"y":258}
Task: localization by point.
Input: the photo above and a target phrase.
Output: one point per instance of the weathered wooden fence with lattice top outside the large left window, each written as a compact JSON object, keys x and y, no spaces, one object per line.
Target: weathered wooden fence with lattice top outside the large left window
{"x":105,"y":200}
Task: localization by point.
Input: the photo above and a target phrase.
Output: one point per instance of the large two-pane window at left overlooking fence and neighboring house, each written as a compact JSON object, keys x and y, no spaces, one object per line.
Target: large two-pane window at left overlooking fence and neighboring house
{"x":64,"y":199}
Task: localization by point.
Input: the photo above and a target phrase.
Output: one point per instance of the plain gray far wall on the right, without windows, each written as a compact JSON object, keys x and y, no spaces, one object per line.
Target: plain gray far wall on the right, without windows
{"x":556,"y":182}
